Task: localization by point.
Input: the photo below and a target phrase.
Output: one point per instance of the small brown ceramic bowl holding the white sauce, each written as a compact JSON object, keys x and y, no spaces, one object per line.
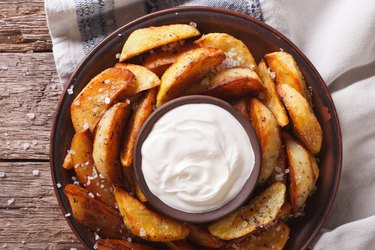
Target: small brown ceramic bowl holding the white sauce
{"x":203,"y":217}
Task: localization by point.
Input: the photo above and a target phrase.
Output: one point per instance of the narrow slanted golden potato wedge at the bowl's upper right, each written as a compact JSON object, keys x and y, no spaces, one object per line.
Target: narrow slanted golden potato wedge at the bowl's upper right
{"x":269,"y":96}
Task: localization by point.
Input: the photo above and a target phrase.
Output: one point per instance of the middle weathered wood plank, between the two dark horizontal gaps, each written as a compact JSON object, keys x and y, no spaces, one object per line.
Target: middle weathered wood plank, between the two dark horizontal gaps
{"x":29,"y":86}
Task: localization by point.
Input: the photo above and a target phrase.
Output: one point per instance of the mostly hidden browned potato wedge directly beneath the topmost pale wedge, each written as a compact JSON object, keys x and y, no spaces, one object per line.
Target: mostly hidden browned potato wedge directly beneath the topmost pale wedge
{"x":160,"y":61}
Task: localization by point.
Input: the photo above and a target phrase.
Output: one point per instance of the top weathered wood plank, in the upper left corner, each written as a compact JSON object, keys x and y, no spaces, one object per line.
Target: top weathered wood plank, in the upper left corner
{"x":23,"y":26}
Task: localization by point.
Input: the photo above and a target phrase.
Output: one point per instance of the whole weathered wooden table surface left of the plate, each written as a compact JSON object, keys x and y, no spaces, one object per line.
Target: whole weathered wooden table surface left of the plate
{"x":29,"y":86}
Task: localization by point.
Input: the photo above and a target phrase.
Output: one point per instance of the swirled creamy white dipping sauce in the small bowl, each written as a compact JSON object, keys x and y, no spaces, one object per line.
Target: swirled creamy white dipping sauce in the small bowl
{"x":197,"y":157}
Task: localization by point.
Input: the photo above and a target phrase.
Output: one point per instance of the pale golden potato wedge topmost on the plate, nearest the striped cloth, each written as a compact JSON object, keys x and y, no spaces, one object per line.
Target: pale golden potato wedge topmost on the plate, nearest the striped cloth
{"x":142,"y":40}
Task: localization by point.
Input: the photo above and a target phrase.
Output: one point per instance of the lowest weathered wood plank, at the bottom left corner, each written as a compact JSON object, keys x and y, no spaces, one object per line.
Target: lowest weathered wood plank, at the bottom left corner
{"x":34,"y":220}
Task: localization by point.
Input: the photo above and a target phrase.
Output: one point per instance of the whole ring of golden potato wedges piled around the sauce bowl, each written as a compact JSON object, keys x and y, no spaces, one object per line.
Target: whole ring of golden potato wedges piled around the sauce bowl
{"x":176,"y":60}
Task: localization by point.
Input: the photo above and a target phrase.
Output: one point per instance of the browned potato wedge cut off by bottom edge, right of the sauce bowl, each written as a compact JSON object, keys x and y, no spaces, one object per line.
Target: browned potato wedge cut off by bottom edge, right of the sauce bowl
{"x":273,"y":238}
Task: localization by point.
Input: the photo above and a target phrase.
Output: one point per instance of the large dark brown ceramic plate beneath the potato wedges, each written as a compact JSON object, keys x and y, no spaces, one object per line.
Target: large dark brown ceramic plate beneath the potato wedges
{"x":261,"y":39}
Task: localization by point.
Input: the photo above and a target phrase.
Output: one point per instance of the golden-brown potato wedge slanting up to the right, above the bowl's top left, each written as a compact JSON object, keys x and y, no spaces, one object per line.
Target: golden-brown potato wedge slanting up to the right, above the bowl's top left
{"x":189,"y":68}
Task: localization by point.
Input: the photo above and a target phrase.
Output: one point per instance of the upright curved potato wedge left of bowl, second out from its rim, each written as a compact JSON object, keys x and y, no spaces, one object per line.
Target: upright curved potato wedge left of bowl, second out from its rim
{"x":107,"y":142}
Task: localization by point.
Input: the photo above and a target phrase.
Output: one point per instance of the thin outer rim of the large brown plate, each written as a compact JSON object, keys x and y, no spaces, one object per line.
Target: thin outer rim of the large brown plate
{"x":265,"y":26}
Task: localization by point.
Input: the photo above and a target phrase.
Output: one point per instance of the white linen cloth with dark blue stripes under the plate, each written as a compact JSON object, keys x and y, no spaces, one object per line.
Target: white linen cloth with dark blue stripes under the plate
{"x":338,"y":36}
